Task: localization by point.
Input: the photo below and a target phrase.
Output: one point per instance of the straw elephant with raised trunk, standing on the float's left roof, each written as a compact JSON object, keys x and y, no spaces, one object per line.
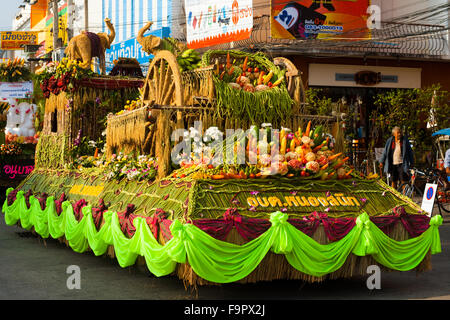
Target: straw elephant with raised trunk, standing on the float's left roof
{"x":88,"y":45}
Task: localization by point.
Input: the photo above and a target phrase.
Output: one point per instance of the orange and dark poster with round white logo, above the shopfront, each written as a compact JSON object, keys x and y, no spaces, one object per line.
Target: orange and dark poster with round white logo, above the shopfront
{"x":320,"y":19}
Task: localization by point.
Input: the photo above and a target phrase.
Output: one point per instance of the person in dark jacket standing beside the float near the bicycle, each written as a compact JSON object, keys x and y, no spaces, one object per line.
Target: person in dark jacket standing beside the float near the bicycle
{"x":397,"y":157}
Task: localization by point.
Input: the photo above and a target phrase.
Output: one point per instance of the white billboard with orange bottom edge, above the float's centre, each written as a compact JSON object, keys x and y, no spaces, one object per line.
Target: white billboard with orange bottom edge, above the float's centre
{"x":217,"y":21}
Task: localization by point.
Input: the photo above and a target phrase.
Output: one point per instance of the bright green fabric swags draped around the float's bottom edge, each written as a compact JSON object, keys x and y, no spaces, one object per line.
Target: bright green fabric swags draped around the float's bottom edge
{"x":215,"y":260}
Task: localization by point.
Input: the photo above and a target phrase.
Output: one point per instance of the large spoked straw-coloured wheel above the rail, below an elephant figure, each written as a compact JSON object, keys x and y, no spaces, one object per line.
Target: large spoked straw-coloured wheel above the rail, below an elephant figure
{"x":163,"y":84}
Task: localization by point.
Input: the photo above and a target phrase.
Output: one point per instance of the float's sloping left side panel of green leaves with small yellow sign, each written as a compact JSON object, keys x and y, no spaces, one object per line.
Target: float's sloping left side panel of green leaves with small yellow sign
{"x":146,"y":196}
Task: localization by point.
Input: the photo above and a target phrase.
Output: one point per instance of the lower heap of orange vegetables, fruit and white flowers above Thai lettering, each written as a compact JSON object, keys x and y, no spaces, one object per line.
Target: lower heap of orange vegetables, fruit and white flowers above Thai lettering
{"x":301,"y":154}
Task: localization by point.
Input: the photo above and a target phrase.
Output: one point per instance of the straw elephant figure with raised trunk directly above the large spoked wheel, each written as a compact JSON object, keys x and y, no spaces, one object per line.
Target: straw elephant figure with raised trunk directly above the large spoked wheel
{"x":152,"y":44}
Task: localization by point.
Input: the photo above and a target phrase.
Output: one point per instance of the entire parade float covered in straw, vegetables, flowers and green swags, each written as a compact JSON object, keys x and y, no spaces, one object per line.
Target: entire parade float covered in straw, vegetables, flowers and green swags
{"x":292,"y":208}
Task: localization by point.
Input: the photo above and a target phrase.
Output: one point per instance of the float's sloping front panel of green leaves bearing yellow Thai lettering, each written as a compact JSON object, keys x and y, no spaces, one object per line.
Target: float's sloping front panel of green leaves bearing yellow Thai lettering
{"x":259,"y":198}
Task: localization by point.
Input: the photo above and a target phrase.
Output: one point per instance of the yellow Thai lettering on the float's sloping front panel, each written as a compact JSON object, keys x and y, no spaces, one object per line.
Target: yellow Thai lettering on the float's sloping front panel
{"x":326,"y":201}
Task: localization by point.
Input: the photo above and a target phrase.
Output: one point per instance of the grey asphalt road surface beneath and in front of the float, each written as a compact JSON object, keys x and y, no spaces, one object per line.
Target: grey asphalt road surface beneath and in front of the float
{"x":35,"y":269}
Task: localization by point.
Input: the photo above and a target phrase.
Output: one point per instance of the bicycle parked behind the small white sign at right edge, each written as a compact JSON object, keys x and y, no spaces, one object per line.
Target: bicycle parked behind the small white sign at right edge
{"x":411,"y":190}
